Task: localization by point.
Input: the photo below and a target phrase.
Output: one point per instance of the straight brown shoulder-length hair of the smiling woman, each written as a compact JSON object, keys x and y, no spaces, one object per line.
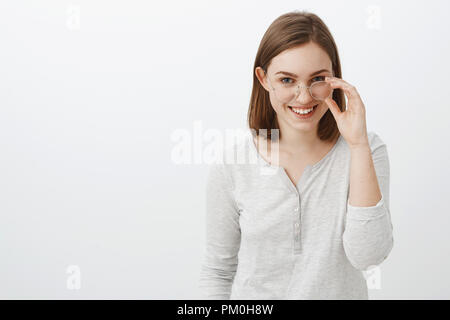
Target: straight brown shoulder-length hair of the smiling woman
{"x":289,"y":30}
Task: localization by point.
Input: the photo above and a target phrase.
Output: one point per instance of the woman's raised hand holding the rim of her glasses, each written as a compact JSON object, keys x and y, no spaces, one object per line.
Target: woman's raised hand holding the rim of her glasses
{"x":351,"y":122}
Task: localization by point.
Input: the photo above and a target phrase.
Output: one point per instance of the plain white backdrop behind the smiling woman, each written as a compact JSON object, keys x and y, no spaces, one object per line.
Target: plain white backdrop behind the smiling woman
{"x":92,"y":204}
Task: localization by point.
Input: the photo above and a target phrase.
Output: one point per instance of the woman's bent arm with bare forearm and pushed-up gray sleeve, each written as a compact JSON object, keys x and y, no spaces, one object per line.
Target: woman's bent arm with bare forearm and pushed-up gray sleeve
{"x":368,"y":235}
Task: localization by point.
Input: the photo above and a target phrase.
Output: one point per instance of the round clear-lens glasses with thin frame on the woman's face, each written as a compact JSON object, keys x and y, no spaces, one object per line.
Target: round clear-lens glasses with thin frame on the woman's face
{"x":287,"y":92}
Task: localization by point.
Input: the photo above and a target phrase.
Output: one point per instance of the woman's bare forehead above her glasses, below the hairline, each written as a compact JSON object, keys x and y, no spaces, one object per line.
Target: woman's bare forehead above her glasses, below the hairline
{"x":302,"y":60}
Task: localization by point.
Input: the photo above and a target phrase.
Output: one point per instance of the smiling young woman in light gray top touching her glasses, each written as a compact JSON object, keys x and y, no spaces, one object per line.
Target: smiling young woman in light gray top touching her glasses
{"x":309,"y":229}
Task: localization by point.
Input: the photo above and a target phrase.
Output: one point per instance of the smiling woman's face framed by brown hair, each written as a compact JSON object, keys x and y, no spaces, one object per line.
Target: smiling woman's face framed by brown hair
{"x":302,"y":62}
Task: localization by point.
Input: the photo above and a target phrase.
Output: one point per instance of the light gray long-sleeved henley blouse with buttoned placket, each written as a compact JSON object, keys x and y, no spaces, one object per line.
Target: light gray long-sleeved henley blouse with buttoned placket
{"x":269,"y":239}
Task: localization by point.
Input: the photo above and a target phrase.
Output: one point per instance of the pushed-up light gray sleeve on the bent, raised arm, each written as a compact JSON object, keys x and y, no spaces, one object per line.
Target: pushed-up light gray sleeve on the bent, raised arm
{"x":368,"y":236}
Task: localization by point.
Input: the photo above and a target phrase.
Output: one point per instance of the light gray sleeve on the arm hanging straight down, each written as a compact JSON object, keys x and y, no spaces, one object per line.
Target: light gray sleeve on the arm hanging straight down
{"x":223,"y":236}
